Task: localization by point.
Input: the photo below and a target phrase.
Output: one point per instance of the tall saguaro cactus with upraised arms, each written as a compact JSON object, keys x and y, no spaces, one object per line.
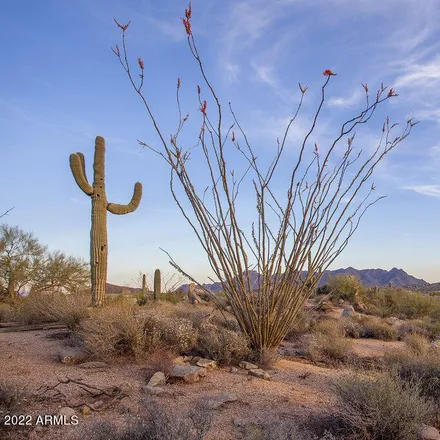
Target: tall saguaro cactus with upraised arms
{"x":100,"y":206}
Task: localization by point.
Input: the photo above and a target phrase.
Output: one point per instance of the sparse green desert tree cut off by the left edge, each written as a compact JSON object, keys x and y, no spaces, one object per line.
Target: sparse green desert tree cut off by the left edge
{"x":21,"y":257}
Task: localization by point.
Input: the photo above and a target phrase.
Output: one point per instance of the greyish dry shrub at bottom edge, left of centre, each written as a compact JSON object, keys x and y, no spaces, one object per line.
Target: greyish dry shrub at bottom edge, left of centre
{"x":157,"y":424}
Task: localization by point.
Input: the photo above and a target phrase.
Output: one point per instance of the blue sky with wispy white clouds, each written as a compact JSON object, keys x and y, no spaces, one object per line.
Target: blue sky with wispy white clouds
{"x":61,"y":86}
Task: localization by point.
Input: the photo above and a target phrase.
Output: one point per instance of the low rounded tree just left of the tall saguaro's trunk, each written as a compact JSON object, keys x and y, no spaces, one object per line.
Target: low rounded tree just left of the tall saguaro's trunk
{"x":59,"y":272}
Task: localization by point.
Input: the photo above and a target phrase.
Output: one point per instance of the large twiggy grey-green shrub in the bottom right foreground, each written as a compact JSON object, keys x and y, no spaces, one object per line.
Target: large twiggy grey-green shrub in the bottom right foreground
{"x":382,"y":407}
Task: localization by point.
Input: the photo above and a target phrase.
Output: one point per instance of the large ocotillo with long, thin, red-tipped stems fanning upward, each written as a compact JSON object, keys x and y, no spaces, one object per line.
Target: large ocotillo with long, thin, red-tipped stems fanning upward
{"x":296,"y":234}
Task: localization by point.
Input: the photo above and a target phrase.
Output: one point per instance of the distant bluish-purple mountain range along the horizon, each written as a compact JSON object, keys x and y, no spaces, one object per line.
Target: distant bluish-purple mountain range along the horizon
{"x":368,"y":277}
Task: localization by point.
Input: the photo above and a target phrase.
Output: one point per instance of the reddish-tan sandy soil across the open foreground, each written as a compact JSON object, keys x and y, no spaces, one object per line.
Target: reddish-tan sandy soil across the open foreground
{"x":296,"y":388}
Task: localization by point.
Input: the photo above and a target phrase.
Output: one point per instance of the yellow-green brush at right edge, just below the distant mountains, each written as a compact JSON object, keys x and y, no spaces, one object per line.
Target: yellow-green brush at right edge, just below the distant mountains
{"x":392,"y":301}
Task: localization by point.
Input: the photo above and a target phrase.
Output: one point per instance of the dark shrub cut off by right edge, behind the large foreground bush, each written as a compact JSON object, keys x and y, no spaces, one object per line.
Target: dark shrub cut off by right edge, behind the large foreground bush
{"x":421,"y":367}
